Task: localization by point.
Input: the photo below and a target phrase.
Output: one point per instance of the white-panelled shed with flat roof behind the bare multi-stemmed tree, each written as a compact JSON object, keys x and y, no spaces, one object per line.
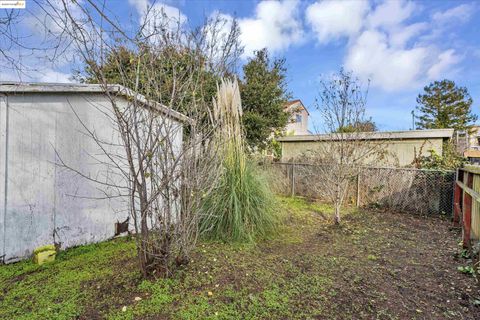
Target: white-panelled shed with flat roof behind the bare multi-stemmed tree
{"x":43,"y":203}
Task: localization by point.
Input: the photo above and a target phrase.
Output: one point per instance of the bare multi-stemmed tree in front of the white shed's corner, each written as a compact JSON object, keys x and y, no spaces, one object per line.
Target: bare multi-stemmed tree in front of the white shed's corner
{"x":160,"y":161}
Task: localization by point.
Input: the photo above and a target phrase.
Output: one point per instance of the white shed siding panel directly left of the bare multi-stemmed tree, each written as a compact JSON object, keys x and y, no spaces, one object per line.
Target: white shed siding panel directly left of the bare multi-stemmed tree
{"x":84,"y":213}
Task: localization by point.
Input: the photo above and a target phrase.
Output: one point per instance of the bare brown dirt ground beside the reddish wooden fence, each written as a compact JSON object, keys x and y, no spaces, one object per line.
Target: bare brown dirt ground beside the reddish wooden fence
{"x":413,"y":271}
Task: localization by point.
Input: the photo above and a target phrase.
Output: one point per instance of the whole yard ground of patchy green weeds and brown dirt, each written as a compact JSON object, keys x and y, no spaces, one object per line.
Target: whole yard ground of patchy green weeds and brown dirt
{"x":377,"y":265}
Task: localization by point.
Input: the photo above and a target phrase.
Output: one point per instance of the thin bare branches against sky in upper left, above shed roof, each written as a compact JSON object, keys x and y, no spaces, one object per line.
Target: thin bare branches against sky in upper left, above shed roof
{"x":31,"y":42}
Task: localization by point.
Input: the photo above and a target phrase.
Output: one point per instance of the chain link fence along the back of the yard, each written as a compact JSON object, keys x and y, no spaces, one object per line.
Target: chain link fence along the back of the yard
{"x":401,"y":189}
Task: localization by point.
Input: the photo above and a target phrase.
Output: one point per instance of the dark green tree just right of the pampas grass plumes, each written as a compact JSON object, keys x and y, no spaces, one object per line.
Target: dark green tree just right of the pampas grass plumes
{"x":264,"y":94}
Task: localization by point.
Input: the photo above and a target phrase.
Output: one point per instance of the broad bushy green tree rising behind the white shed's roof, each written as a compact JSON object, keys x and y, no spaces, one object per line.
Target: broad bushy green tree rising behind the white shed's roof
{"x":172,"y":67}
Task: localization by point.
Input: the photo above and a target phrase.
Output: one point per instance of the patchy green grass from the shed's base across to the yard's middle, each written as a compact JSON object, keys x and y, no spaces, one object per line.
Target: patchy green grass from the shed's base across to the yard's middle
{"x":104,"y":278}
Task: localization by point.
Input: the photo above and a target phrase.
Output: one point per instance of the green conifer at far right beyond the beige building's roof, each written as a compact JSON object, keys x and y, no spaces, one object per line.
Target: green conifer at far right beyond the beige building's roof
{"x":444,"y":105}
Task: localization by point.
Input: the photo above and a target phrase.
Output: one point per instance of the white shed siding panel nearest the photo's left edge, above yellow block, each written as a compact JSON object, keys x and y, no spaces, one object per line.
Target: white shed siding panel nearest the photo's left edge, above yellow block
{"x":30,"y":177}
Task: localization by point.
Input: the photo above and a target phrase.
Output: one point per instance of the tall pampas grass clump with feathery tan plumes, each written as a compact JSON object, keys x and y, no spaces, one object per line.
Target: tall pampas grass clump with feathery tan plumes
{"x":241,"y":206}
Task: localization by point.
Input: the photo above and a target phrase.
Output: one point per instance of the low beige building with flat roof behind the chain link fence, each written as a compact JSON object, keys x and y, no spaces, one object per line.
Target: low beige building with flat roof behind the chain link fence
{"x":401,"y":146}
